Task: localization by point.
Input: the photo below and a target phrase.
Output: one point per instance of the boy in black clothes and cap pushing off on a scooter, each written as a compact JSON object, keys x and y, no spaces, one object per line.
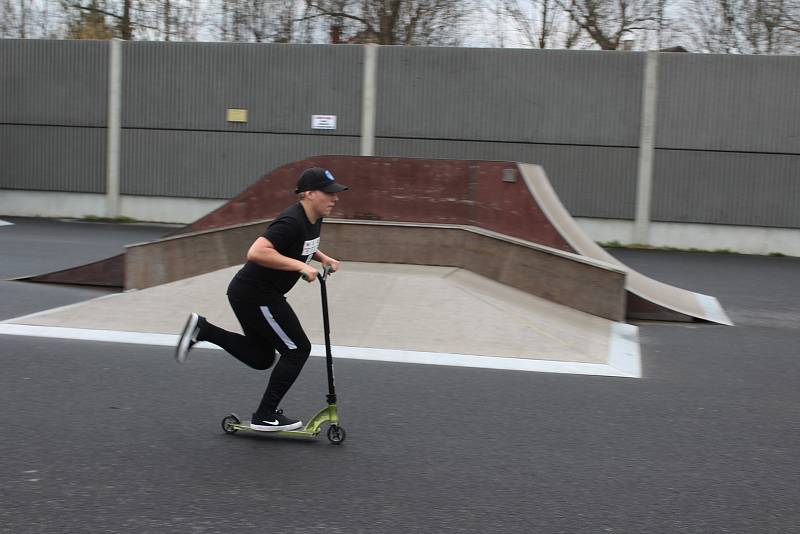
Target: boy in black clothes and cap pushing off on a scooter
{"x":275,"y":261}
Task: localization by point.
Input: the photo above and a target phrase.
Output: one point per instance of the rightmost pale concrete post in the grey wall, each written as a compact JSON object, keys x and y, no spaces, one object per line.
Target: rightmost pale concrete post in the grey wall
{"x":644,"y":181}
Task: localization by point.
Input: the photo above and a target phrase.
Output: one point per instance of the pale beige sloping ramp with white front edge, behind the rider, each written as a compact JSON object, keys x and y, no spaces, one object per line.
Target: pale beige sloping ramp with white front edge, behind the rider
{"x":389,"y":312}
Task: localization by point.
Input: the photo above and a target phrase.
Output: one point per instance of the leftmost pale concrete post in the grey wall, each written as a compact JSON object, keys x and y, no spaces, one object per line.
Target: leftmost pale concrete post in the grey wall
{"x":114,"y":128}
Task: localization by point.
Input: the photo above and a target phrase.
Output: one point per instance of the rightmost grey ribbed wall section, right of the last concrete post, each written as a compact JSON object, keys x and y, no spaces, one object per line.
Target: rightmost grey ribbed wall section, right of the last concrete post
{"x":728,"y":140}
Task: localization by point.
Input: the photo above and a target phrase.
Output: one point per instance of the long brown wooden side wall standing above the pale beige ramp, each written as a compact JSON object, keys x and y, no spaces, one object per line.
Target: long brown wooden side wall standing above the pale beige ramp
{"x":561,"y":277}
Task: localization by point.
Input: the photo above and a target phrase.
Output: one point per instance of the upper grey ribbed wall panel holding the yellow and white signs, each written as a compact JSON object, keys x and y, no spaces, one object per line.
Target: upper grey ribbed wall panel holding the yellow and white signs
{"x":188,"y":86}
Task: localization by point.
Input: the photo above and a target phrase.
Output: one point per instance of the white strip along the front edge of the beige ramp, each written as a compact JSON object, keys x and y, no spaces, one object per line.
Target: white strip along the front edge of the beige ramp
{"x":623,"y":342}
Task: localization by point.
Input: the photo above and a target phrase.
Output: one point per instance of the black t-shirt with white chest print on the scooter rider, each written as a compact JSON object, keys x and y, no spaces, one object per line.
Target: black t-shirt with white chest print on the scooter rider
{"x":292,"y":235}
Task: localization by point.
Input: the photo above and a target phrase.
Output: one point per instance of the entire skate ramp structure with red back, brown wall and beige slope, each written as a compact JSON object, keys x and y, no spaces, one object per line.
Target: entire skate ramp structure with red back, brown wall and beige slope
{"x":444,"y":296}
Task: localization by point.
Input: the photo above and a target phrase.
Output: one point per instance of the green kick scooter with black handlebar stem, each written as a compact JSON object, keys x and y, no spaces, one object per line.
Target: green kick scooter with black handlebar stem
{"x":232,"y":424}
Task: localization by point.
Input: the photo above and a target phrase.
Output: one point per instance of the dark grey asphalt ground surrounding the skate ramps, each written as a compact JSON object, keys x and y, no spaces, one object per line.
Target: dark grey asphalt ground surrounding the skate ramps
{"x":102,"y":437}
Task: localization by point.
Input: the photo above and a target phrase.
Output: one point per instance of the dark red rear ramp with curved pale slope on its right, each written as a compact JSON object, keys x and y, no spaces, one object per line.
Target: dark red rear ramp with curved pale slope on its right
{"x":500,"y":197}
